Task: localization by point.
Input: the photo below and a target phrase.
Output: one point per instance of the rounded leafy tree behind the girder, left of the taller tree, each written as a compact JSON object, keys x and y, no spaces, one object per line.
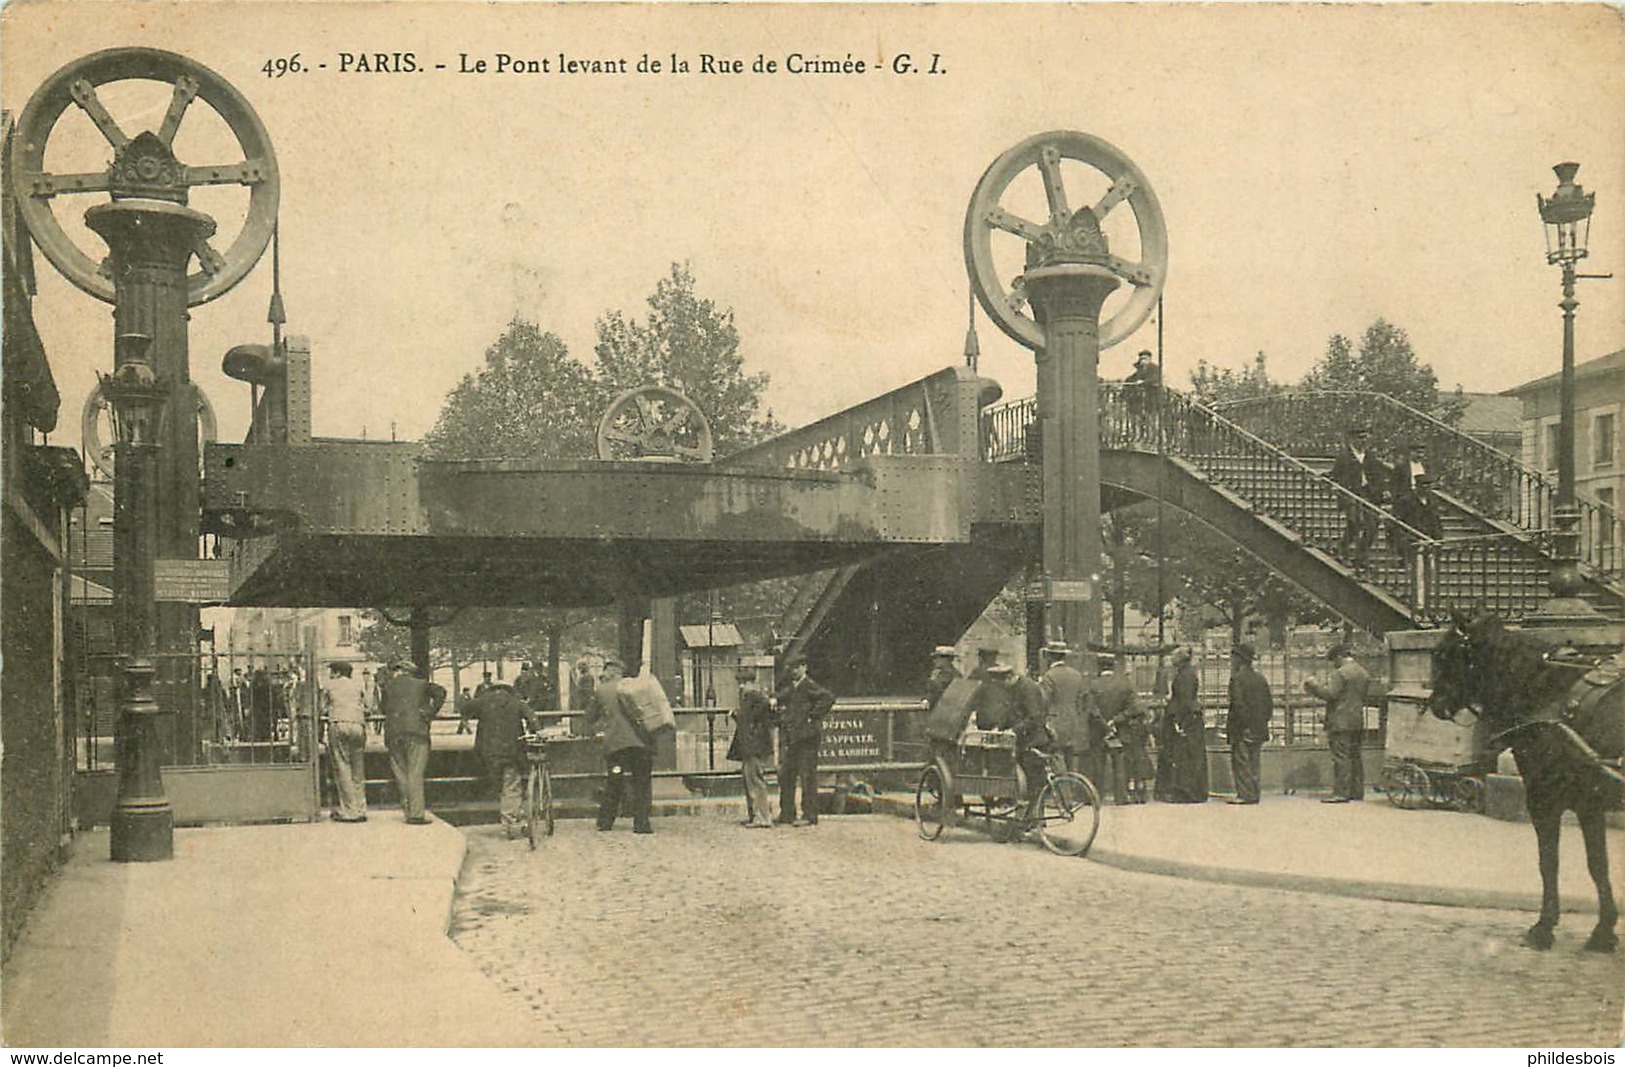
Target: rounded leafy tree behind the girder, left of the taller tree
{"x":532,"y":399}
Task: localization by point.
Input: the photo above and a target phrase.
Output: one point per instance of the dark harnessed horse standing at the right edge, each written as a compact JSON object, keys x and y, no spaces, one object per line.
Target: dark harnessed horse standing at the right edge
{"x":1564,"y":719}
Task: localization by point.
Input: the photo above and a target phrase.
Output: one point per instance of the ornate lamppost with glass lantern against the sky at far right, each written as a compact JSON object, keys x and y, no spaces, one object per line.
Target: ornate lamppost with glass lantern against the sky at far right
{"x":1567,"y":220}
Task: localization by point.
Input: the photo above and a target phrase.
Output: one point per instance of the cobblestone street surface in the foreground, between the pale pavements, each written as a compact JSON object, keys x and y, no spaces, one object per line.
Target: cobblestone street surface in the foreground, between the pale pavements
{"x":857,"y":933}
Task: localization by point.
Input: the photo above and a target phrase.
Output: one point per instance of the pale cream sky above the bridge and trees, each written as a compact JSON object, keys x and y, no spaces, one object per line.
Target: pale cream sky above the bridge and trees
{"x":1319,"y":168}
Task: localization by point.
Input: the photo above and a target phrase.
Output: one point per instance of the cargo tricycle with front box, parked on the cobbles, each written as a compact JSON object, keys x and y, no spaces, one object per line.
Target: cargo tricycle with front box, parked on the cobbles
{"x":994,"y":787}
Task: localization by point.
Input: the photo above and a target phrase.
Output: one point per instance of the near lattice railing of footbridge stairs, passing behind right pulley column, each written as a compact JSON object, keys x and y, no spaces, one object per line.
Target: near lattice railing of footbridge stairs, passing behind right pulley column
{"x":1439,"y":577}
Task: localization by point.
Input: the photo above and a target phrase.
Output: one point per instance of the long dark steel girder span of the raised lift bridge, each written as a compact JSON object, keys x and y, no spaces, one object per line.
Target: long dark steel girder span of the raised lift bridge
{"x":342,"y":524}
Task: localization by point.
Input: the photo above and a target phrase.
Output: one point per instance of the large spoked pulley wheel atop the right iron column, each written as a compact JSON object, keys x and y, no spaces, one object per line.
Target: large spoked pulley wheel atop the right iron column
{"x":1044,"y":194}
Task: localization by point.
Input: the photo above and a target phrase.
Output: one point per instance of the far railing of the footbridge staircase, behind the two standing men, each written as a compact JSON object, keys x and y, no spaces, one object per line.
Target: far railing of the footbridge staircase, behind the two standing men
{"x":1491,"y":482}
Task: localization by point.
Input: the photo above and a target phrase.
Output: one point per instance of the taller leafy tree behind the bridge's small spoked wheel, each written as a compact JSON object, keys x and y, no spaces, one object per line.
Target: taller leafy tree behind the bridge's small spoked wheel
{"x":693,"y":347}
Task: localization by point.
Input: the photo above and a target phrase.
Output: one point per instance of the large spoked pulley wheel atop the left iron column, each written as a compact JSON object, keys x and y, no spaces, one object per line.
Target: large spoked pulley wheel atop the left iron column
{"x":41,"y":192}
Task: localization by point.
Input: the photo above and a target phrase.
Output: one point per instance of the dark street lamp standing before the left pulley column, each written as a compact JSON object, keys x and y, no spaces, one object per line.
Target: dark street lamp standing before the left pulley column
{"x":142,"y":827}
